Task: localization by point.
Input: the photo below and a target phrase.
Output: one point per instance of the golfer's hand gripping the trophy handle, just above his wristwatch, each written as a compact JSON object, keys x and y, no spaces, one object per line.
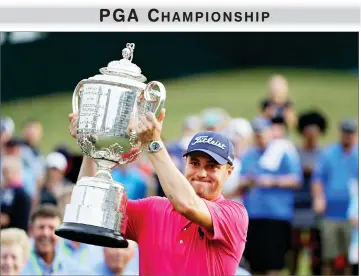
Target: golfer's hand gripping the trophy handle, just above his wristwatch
{"x":149,"y":127}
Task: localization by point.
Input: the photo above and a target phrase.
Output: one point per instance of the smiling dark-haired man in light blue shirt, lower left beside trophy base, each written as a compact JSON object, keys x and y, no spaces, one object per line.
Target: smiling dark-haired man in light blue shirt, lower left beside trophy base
{"x":46,"y":257}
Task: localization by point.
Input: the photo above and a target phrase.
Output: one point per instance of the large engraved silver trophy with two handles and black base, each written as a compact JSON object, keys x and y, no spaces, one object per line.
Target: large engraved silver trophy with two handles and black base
{"x":109,"y":105}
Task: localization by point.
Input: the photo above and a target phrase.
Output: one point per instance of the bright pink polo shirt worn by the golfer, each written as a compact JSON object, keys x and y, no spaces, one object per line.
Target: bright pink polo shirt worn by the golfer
{"x":170,"y":244}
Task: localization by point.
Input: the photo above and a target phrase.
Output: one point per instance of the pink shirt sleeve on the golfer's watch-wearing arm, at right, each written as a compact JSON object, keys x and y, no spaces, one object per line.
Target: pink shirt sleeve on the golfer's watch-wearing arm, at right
{"x":230,"y":222}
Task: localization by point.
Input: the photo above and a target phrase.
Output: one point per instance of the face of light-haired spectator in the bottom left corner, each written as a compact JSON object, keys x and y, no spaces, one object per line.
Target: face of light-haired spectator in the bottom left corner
{"x":12,"y":259}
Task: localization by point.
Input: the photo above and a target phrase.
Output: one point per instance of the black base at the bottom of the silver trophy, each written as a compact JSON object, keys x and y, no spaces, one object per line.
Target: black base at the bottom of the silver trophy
{"x":91,"y":234}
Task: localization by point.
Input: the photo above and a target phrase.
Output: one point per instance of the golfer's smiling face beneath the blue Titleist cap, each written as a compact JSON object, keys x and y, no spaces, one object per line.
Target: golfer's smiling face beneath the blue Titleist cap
{"x":205,"y":175}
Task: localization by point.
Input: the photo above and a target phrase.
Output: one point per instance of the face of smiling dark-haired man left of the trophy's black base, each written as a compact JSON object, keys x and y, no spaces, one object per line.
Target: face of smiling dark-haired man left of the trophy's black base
{"x":43,"y":232}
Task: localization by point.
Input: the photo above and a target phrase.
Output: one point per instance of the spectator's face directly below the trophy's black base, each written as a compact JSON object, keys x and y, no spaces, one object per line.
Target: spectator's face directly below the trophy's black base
{"x":117,"y":258}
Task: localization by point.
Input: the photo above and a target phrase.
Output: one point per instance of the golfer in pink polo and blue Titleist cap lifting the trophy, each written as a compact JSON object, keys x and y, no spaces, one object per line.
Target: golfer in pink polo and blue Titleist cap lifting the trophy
{"x":194,"y":221}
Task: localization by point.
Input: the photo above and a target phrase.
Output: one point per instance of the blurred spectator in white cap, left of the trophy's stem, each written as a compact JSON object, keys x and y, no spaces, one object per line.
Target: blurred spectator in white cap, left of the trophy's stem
{"x":55,"y":180}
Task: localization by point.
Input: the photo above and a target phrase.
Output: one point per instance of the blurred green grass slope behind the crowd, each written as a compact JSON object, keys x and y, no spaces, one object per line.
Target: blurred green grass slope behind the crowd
{"x":238,"y":91}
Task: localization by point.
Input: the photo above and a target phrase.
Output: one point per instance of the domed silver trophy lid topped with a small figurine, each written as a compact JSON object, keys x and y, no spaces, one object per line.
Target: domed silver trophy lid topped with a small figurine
{"x":124,"y":68}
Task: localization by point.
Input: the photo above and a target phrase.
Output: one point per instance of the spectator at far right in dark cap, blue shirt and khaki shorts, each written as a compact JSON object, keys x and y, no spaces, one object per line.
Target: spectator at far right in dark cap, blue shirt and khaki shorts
{"x":335,"y":170}
